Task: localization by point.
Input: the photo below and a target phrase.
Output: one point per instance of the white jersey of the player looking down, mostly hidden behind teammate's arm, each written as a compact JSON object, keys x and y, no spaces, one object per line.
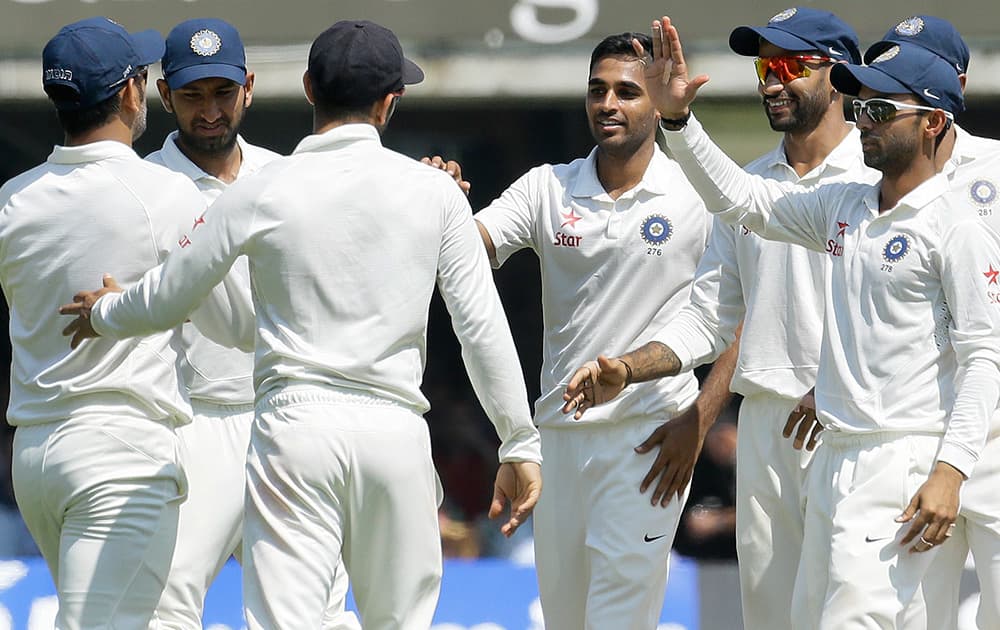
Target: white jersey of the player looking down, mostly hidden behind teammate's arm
{"x":212,"y":372}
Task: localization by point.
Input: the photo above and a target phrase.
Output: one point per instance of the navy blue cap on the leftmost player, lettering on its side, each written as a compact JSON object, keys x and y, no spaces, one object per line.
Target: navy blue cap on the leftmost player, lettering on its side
{"x":94,"y":58}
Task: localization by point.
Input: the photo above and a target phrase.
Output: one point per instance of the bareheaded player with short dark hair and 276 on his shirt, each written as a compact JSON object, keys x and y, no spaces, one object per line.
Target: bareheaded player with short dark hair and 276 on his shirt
{"x":618,"y":235}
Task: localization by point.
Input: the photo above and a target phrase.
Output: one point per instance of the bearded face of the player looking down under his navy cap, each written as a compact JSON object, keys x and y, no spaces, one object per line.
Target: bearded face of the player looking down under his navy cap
{"x":208,"y":112}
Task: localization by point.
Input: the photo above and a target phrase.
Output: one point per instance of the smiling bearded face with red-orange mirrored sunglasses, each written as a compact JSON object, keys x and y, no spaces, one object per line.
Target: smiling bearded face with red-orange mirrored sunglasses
{"x":799,"y":104}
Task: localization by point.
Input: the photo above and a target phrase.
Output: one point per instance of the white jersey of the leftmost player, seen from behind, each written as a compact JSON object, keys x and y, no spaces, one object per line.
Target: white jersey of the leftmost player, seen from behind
{"x":89,"y":210}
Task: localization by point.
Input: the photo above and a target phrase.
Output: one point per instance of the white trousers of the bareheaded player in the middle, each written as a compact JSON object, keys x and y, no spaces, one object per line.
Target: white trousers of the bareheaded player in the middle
{"x":602,"y":550}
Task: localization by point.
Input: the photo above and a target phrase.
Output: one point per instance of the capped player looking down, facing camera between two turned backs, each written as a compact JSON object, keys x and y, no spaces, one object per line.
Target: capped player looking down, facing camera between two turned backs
{"x":207,"y":88}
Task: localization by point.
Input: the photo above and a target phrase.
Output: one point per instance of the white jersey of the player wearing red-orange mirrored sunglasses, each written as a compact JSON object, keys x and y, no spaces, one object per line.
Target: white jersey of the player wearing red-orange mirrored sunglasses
{"x":742,"y":275}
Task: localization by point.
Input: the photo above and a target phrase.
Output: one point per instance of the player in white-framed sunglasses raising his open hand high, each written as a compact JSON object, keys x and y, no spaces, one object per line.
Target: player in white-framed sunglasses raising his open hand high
{"x":909,"y":368}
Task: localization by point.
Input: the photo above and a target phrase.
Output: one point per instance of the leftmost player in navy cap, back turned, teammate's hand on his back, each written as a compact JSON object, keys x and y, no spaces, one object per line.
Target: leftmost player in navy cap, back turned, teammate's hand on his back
{"x":96,"y":470}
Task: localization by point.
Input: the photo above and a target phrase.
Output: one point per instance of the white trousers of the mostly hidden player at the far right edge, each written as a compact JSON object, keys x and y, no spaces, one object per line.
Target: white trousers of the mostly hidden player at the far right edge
{"x":977,"y":529}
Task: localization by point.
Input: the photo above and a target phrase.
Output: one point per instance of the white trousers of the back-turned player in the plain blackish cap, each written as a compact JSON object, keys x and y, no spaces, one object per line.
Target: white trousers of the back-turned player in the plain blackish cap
{"x":334,"y":474}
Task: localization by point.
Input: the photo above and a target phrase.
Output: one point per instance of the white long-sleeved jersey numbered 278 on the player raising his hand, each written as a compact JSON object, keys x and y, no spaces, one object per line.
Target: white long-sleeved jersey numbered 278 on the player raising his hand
{"x":909,"y":297}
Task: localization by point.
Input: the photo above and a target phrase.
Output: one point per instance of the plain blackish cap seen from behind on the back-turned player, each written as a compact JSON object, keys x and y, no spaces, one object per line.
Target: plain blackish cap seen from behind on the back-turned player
{"x":359,"y":62}
